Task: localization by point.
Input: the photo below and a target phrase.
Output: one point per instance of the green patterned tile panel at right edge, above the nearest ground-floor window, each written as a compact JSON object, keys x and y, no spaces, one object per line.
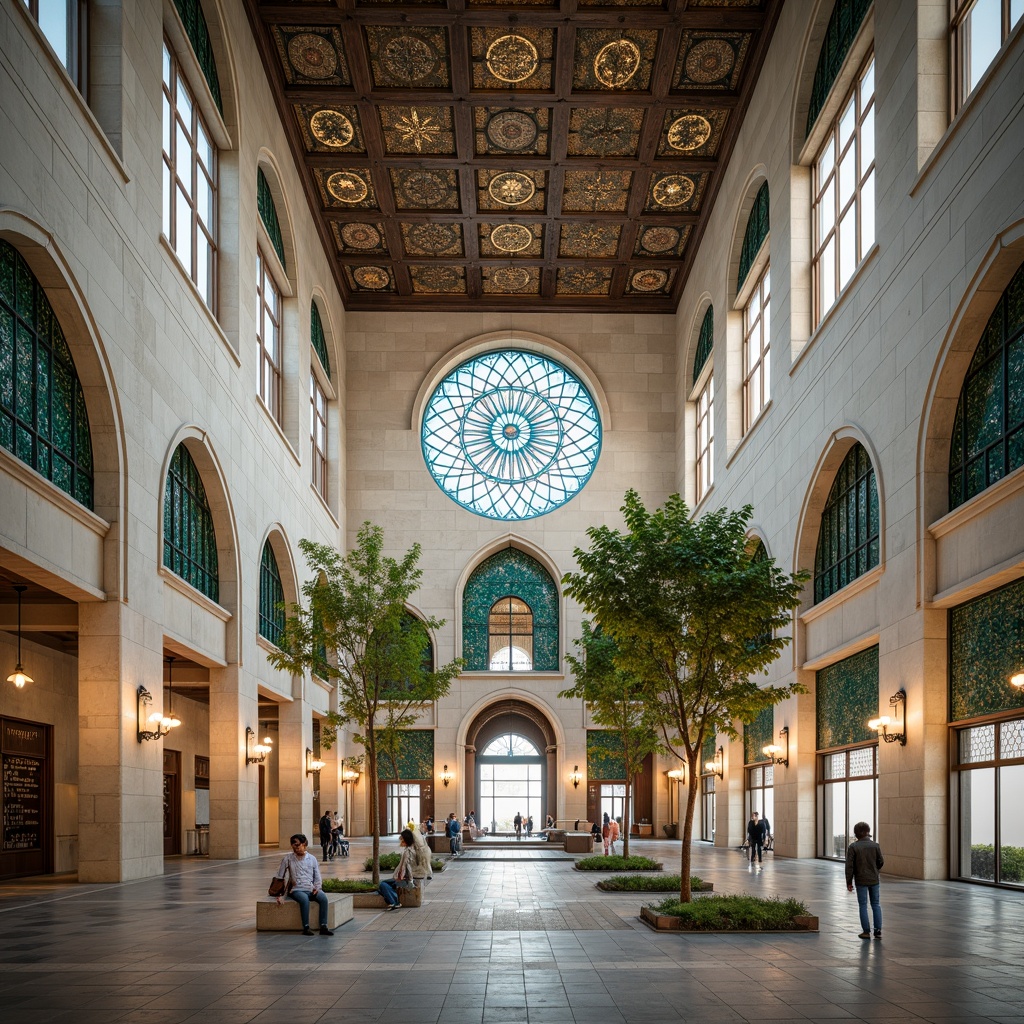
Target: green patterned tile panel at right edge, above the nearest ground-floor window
{"x":987,"y":648}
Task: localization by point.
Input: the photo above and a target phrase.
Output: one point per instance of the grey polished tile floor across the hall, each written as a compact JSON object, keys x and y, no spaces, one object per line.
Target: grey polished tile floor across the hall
{"x":508,"y":937}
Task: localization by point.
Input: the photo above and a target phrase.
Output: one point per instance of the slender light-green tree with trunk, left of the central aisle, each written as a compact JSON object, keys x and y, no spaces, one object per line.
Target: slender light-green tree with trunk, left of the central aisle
{"x":356,"y":609}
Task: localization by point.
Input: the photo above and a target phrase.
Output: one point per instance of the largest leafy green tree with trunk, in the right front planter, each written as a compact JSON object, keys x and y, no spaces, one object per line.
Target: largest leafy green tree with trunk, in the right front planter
{"x":695,"y":618}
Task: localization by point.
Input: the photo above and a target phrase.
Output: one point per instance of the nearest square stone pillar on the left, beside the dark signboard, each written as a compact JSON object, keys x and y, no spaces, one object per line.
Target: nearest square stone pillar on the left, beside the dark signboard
{"x":120,"y":781}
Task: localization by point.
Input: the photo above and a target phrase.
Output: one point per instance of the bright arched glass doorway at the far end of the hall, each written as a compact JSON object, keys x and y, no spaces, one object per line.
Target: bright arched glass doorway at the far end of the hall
{"x":511,"y":759}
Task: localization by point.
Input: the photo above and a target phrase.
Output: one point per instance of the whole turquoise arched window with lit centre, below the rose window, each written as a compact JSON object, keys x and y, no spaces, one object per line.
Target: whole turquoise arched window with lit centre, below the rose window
{"x":510,"y":616}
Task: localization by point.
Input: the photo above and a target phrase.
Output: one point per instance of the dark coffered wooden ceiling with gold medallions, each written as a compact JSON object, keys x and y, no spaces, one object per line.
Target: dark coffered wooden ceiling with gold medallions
{"x":534,"y":155}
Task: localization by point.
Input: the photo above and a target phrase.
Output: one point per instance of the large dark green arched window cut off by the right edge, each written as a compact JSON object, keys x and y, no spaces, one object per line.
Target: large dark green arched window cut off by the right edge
{"x":989,"y":432}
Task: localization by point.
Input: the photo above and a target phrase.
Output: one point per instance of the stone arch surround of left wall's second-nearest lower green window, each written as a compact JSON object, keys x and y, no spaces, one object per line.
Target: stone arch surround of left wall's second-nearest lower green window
{"x":197,"y":443}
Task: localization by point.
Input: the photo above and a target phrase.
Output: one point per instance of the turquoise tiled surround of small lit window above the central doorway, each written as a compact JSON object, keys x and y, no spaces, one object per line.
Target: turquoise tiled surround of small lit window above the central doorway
{"x":510,"y":572}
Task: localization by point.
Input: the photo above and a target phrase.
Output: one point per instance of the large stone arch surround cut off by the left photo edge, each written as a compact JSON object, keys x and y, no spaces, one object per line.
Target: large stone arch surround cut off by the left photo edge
{"x":56,"y":276}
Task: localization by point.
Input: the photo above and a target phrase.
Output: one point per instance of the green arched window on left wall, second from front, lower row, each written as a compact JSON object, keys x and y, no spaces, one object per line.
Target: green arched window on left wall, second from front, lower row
{"x":190,"y":540}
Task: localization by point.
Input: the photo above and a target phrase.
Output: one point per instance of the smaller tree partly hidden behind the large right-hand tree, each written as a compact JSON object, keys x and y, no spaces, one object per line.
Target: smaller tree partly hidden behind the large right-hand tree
{"x":616,"y":701}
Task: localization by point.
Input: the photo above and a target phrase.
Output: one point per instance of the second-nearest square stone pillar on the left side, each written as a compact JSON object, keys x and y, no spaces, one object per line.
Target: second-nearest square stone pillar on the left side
{"x":234,"y":785}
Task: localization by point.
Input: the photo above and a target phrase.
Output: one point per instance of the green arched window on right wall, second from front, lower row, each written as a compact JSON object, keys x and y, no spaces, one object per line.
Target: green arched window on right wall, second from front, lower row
{"x":848,"y":544}
